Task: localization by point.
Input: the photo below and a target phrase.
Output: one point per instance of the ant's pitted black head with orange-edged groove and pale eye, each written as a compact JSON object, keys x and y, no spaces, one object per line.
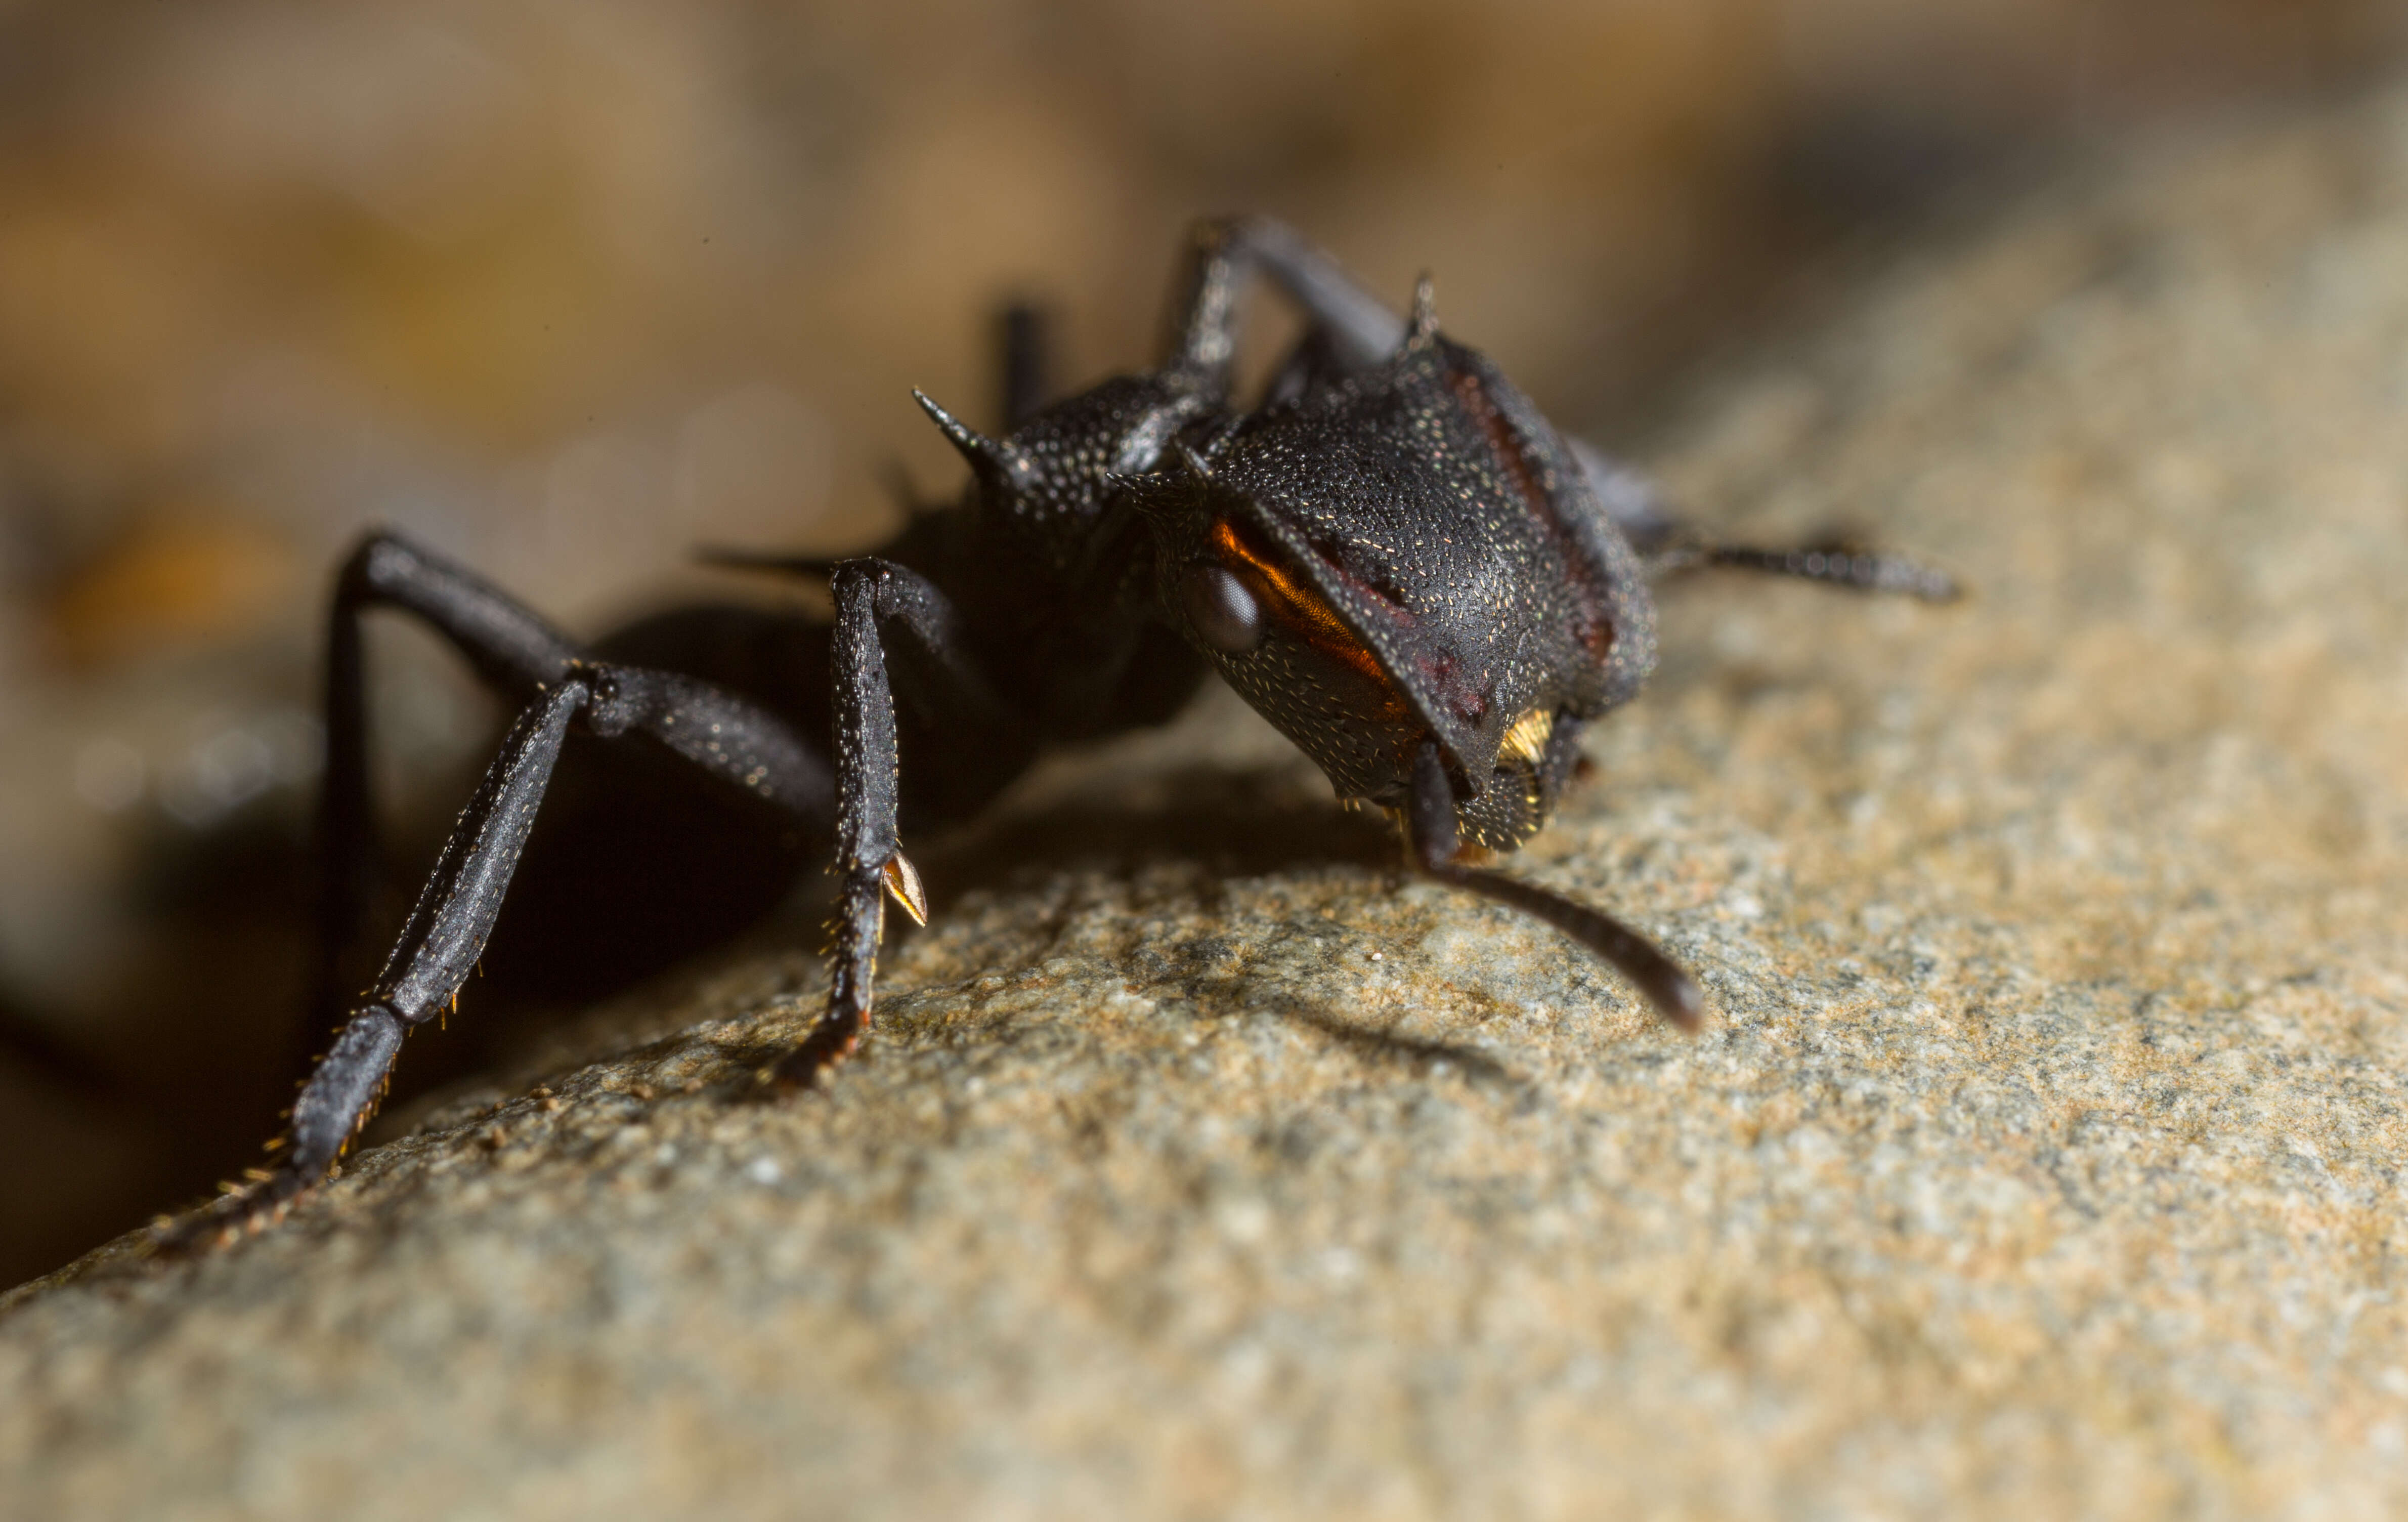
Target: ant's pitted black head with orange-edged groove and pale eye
{"x":1391,"y":560}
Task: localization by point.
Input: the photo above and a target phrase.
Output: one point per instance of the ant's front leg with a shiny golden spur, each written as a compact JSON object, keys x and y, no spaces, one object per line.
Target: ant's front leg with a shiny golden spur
{"x":885,"y":610}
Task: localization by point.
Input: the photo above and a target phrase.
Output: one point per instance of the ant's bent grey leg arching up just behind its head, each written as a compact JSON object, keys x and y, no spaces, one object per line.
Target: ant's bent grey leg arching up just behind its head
{"x":1229,"y":254}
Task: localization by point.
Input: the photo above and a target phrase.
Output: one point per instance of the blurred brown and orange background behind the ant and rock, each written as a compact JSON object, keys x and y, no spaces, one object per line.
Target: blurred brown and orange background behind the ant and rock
{"x":567,"y":288}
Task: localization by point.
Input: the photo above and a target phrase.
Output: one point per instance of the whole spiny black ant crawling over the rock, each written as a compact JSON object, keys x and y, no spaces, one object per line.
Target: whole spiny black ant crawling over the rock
{"x":1395,"y":560}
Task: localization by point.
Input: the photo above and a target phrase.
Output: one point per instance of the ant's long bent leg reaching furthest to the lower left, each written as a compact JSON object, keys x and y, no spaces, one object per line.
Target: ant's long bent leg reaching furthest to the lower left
{"x":447,"y":933}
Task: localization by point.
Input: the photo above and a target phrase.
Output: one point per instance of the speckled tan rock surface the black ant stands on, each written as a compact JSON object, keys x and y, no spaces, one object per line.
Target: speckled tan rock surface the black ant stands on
{"x":2043,"y":1157}
